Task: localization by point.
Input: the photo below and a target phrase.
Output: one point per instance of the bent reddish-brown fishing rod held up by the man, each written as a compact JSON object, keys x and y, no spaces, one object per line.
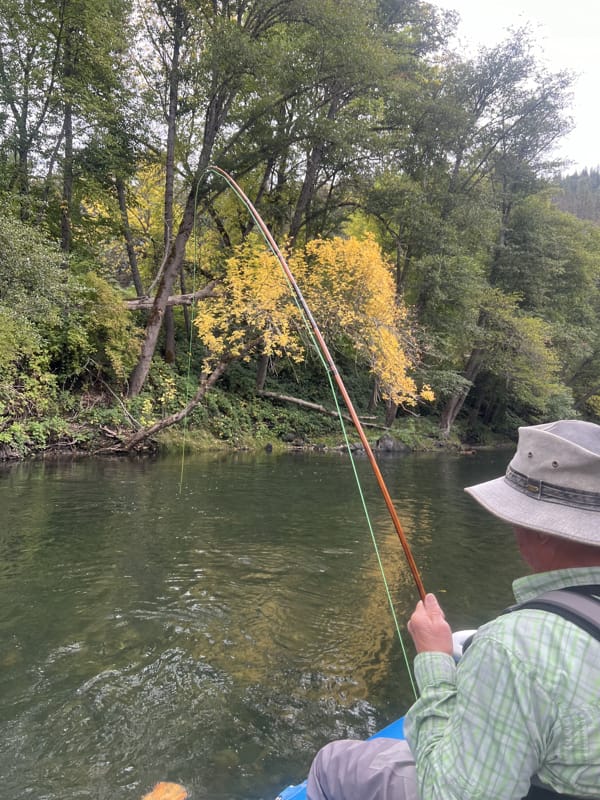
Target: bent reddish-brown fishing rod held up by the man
{"x":333,"y":370}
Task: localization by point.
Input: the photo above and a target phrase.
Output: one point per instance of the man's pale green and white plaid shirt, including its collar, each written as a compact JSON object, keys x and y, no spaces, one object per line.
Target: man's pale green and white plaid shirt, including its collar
{"x":524,"y":700}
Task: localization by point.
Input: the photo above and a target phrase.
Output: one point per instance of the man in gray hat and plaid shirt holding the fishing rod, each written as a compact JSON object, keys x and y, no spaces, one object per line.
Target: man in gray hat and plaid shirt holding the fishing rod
{"x":519,"y":715}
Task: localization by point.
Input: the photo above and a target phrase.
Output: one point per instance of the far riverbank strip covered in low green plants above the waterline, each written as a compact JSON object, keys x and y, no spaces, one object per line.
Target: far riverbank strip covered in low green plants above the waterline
{"x":228,"y":423}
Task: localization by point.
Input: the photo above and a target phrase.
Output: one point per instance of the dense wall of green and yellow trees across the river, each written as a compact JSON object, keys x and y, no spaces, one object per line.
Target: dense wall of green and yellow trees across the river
{"x":410,"y":186}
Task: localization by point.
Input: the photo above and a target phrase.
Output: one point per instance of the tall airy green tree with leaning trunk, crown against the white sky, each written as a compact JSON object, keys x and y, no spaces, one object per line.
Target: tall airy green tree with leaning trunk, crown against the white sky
{"x":512,"y":113}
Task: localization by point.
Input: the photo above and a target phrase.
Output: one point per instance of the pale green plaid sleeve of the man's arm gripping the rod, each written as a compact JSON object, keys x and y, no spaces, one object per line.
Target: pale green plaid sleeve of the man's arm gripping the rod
{"x":475,"y":730}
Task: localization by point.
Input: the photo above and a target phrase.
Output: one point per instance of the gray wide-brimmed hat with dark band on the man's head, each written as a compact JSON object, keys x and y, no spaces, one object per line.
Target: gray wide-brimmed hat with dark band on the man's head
{"x":552,"y":483}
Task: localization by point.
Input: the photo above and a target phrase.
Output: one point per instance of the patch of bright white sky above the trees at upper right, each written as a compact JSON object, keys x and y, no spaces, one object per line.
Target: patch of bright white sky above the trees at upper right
{"x":568,"y":34}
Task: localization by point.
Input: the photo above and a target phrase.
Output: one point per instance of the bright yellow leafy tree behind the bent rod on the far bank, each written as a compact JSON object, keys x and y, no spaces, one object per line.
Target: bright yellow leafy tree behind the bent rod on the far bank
{"x":348,"y":286}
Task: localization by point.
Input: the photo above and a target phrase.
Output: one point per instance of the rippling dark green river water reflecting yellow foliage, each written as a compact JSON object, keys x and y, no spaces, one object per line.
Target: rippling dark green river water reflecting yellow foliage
{"x":214,"y":623}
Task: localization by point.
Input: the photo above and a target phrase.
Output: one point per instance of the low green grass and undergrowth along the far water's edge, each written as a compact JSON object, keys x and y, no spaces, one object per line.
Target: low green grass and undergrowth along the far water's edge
{"x":224,"y":421}
